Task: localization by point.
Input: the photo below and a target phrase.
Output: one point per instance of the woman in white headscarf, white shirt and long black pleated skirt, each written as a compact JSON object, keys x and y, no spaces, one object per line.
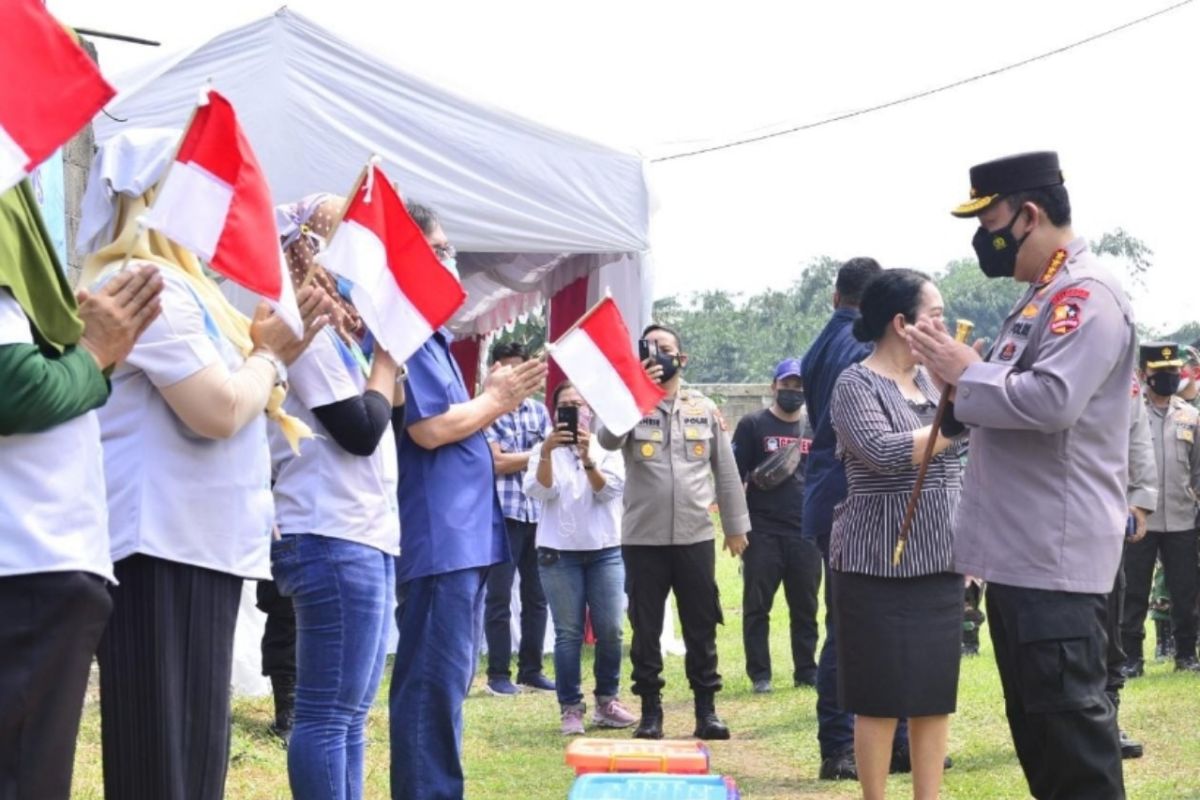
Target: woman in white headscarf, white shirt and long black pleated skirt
{"x":190,"y":512}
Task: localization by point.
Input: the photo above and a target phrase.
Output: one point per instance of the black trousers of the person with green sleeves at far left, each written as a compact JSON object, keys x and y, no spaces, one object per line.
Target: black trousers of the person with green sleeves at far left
{"x":50,"y":627}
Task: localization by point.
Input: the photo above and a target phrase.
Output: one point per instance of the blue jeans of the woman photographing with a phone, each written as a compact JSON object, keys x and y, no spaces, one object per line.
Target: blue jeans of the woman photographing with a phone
{"x":574,"y":581}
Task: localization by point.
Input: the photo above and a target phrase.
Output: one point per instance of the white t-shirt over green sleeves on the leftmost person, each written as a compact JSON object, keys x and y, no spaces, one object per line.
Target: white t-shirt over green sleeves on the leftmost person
{"x":52,"y":488}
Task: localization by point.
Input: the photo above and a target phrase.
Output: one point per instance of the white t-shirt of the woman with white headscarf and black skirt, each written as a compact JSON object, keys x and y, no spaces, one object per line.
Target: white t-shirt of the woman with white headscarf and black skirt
{"x":172,"y":494}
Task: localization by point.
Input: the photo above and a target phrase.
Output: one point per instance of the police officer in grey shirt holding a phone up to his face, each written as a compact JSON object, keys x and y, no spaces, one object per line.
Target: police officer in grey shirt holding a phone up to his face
{"x":675,"y":459}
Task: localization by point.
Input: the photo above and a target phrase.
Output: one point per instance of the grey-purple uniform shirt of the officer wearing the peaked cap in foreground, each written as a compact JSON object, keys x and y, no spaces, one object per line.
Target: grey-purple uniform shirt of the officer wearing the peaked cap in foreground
{"x":1045,"y":497}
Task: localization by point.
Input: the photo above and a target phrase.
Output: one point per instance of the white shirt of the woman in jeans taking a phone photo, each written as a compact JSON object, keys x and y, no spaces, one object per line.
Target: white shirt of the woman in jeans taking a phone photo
{"x":574,"y":518}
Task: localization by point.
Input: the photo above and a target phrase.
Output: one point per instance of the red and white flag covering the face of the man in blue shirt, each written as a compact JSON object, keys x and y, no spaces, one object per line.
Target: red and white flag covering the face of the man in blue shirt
{"x":403,"y":292}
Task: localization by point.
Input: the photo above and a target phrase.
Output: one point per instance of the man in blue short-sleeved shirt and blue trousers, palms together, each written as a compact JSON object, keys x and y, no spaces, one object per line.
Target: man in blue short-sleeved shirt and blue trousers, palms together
{"x":452,"y":532}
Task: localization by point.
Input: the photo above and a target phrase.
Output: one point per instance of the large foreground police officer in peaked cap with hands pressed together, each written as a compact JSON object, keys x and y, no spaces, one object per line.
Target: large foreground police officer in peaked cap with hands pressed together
{"x":1045,"y":508}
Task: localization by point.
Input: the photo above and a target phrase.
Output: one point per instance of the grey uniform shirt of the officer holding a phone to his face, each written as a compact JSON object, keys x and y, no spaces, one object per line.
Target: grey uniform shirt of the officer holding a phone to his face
{"x":679,"y":460}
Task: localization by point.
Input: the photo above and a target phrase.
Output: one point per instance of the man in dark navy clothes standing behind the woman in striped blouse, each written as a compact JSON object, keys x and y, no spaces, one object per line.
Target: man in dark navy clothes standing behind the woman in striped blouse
{"x":825,"y":486}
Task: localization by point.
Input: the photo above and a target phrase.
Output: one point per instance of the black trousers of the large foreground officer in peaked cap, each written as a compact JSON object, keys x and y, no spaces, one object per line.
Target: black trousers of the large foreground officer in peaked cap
{"x":1052,"y":652}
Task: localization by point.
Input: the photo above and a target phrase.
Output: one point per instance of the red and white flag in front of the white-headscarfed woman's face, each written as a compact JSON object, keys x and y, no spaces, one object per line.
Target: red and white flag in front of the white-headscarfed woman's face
{"x":215,"y":202}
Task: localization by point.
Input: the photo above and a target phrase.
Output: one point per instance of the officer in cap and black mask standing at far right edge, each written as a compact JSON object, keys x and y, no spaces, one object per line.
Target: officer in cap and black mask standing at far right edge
{"x":1173,"y":528}
